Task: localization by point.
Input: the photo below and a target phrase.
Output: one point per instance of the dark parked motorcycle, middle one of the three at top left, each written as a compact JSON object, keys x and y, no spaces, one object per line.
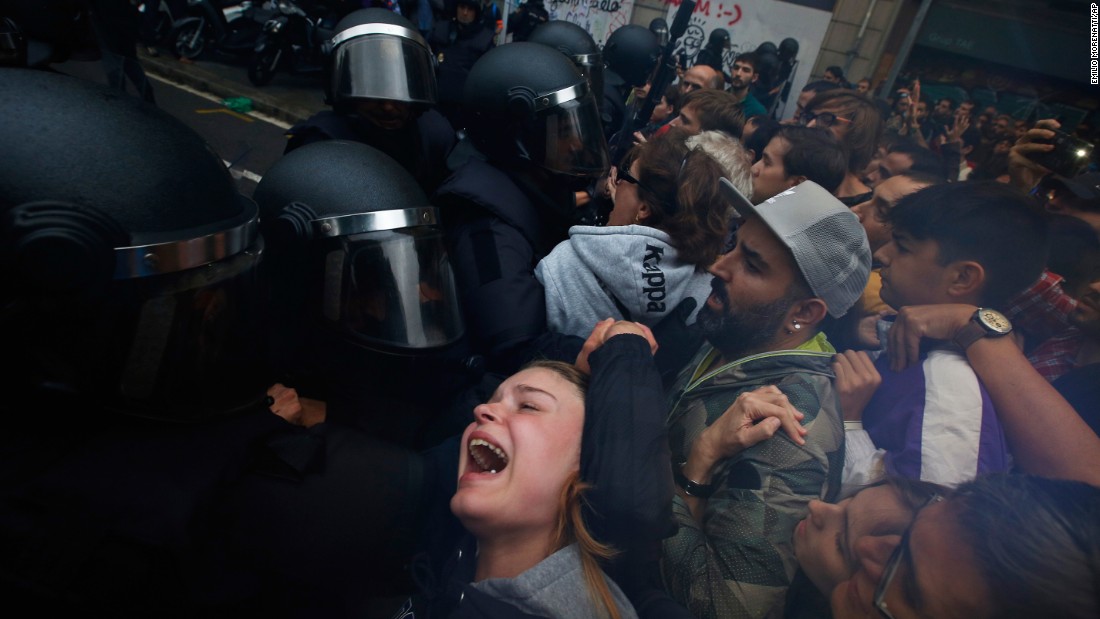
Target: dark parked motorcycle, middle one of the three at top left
{"x":232,"y":27}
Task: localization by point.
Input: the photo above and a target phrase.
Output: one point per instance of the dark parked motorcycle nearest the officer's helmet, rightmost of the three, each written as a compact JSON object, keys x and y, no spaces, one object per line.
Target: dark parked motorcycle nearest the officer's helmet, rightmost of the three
{"x":295,"y":41}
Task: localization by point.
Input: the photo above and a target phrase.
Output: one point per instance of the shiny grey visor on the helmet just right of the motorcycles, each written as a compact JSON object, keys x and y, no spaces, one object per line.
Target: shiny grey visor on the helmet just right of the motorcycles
{"x":383,"y":68}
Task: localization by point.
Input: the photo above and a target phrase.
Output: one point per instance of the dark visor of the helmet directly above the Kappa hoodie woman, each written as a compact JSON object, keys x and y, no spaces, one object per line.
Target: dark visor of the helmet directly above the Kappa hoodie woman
{"x":569,"y":139}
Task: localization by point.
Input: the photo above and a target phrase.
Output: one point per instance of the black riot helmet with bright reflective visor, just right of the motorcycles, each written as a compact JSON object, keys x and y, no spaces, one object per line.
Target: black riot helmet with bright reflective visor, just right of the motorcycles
{"x":378,"y":54}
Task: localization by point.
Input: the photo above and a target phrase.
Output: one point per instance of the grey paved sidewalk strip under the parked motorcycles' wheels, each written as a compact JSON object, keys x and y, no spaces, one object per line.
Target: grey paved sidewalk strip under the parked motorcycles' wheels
{"x":289,"y":98}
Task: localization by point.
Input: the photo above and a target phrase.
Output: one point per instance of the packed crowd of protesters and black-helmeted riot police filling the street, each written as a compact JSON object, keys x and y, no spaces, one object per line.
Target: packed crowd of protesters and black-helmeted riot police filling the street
{"x":843,"y":364}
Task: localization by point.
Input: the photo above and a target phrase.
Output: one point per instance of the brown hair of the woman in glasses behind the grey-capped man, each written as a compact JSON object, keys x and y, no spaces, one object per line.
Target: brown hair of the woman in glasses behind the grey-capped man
{"x":856,"y":123}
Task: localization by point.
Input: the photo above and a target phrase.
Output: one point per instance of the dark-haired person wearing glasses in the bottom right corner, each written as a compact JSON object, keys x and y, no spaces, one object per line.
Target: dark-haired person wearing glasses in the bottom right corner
{"x":1004,"y":546}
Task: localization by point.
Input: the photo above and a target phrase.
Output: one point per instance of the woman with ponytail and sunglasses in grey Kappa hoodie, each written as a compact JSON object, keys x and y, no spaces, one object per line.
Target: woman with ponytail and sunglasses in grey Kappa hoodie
{"x":668,"y":226}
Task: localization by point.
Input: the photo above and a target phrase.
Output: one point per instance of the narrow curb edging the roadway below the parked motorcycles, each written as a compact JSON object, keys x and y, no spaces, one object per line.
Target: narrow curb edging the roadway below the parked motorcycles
{"x":206,"y":81}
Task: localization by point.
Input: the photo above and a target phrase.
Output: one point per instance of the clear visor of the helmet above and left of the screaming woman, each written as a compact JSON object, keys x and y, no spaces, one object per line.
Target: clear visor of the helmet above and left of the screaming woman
{"x":393,"y":289}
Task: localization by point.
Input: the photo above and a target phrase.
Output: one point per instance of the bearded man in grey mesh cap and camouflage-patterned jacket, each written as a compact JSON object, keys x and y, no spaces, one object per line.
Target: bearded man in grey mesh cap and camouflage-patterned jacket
{"x":801,"y":257}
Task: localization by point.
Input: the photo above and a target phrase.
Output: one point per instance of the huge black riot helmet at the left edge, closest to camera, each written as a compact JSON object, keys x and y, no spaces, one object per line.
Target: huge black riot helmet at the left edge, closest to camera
{"x":130,"y":260}
